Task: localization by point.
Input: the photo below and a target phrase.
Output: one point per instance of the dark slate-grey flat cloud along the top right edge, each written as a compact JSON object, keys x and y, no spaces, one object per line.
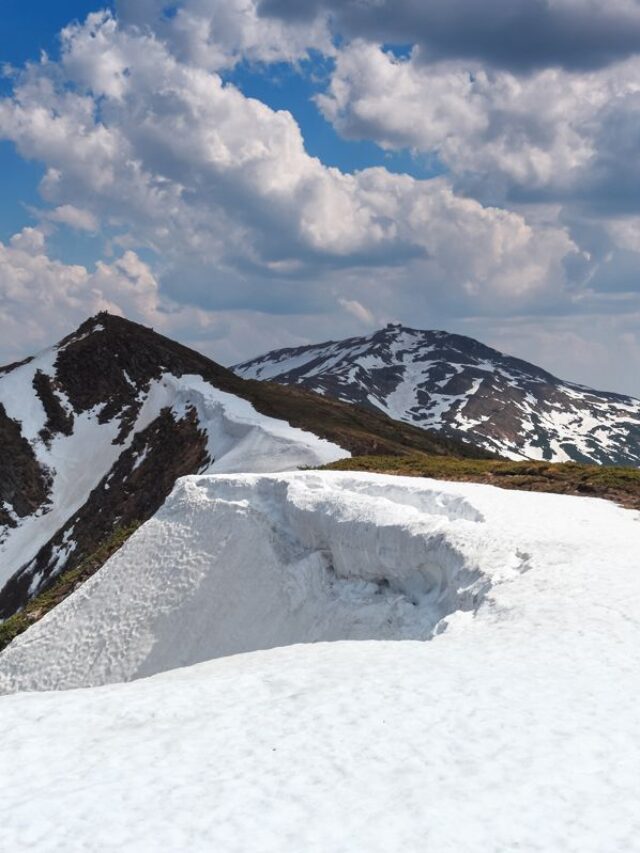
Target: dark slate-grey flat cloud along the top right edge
{"x":516,"y":34}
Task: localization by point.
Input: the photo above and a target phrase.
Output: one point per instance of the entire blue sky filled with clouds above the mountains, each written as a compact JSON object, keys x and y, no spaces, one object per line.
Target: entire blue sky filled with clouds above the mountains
{"x":250,"y":174}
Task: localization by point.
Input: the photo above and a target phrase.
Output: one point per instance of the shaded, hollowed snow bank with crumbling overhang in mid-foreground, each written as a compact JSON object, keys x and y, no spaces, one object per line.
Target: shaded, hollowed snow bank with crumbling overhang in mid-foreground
{"x":237,"y":563}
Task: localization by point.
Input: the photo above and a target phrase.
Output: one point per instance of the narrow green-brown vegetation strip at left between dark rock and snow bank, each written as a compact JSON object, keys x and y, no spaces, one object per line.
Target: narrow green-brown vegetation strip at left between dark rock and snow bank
{"x":63,"y":586}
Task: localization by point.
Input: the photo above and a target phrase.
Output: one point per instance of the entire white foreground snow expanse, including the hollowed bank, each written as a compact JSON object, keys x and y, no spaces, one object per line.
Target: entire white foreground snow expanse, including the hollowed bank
{"x":490,"y":705}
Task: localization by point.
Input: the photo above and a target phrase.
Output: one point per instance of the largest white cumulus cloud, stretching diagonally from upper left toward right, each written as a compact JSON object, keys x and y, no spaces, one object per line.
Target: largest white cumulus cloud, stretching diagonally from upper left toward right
{"x":211,"y":179}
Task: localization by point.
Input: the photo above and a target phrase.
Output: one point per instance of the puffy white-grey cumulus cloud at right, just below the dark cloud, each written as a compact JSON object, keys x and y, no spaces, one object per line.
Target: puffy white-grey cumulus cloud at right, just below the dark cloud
{"x":552,"y":134}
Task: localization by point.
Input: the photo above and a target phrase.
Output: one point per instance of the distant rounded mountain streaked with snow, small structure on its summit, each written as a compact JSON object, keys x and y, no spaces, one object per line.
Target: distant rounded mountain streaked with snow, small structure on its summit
{"x":462,"y":388}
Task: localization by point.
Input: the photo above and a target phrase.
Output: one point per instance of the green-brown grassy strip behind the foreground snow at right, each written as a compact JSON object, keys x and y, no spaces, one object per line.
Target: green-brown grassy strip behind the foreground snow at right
{"x":621,"y":485}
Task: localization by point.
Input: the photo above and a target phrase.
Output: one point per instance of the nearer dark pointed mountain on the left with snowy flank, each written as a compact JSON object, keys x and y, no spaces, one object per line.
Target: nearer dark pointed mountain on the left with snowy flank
{"x":95,"y":431}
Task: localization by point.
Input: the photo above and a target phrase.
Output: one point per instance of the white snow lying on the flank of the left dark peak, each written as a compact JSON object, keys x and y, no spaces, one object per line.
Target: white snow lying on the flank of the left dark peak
{"x":238,"y":439}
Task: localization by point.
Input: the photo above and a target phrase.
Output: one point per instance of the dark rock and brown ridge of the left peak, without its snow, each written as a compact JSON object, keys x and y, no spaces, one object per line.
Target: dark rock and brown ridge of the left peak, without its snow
{"x":104,"y":372}
